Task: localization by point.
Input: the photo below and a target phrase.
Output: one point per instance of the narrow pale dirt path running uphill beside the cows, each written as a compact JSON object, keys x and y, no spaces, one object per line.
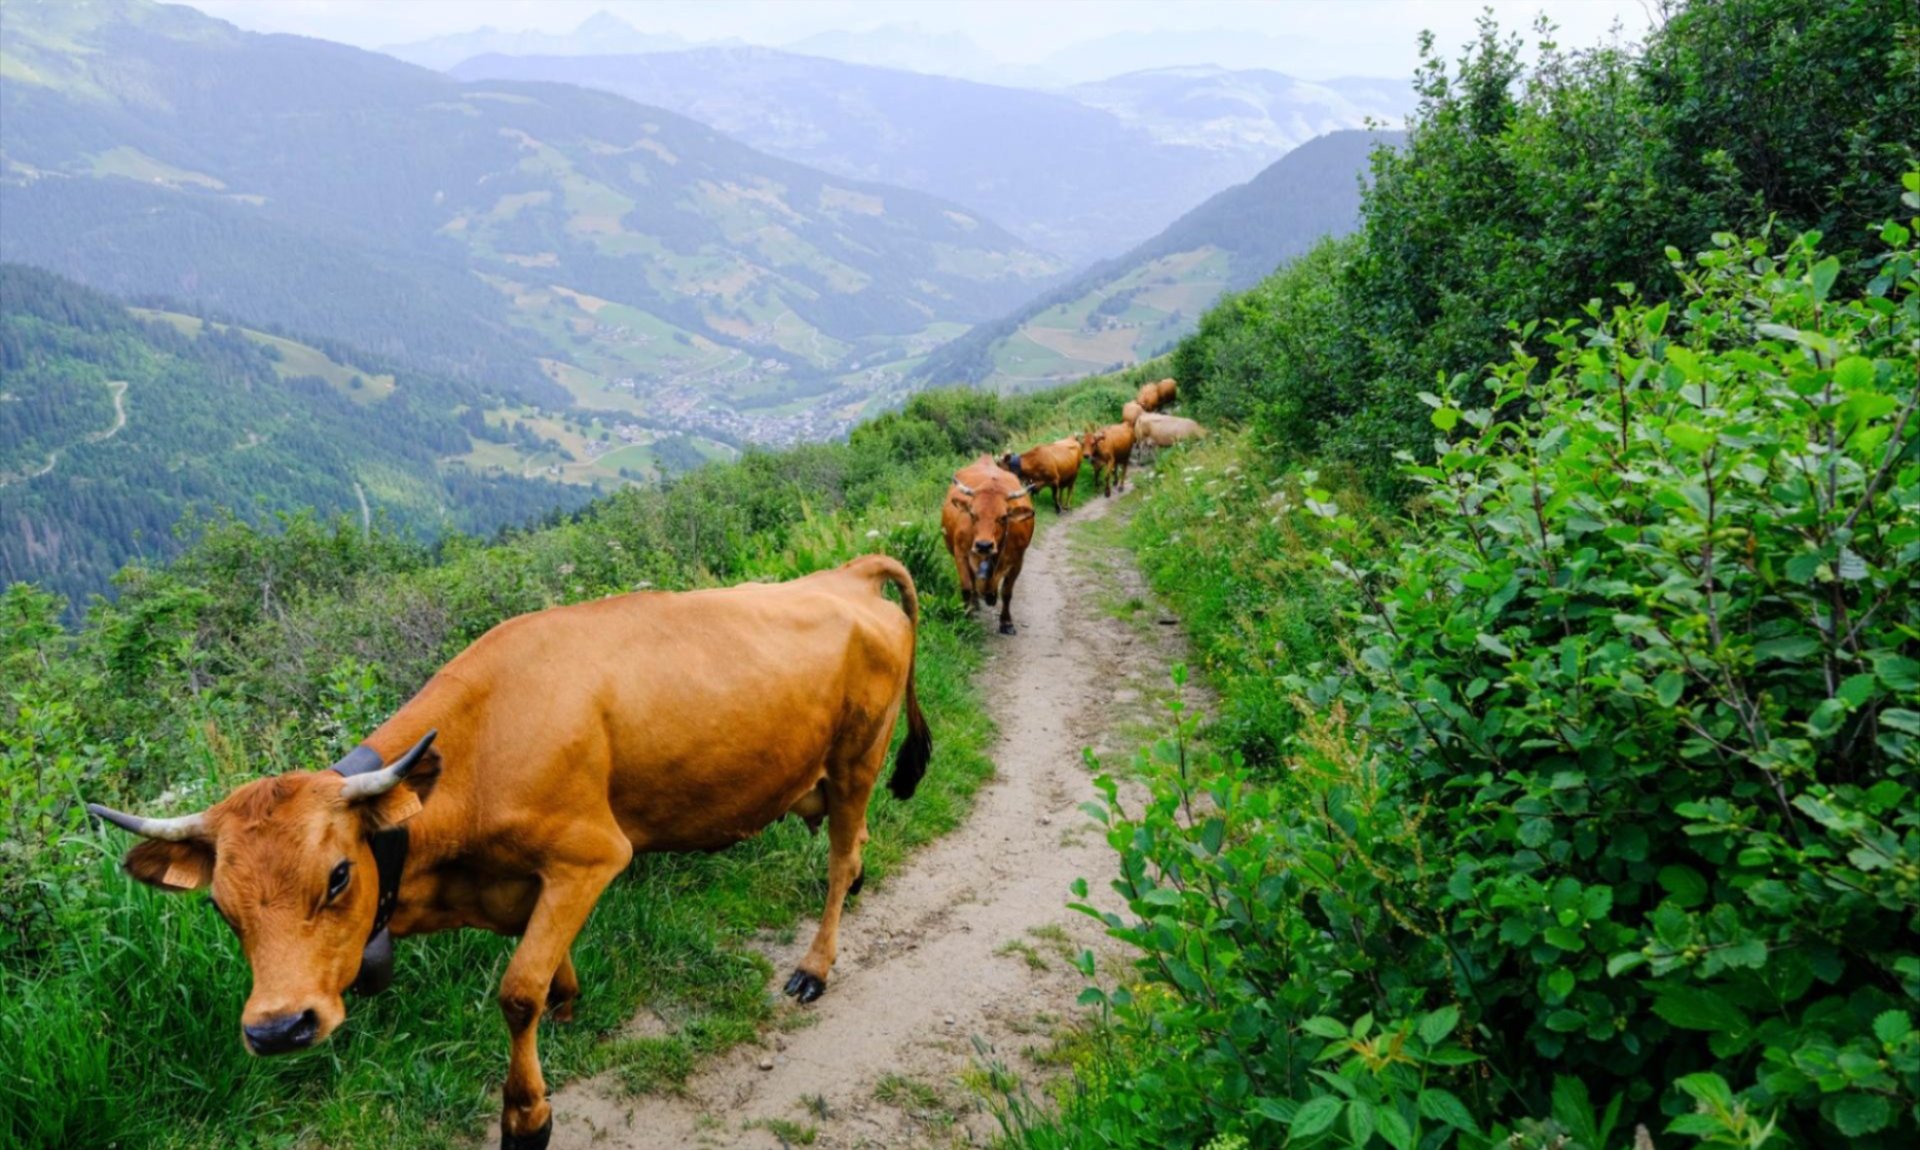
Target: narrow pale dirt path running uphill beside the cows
{"x":967,"y":946}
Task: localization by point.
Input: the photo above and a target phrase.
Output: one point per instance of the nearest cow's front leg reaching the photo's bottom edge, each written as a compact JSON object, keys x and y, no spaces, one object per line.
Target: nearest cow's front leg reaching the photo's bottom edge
{"x":567,"y":896}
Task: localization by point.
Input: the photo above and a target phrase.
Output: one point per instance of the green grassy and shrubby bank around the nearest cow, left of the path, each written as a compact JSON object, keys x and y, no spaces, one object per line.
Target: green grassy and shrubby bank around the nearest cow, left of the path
{"x":266,"y":650}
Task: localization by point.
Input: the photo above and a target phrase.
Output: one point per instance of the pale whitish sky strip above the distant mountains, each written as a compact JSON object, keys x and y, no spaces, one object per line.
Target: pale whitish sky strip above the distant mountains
{"x":1312,"y":39}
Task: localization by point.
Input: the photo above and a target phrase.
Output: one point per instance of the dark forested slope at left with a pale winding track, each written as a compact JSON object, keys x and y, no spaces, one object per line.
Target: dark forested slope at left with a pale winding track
{"x":112,"y":427}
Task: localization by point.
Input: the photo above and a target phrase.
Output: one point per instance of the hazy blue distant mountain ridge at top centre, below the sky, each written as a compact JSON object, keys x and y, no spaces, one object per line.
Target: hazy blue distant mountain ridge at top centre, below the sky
{"x":1065,"y":176}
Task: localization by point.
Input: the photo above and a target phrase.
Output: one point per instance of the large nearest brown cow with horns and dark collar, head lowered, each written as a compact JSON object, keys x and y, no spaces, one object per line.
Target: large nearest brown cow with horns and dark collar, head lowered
{"x":569,"y":742}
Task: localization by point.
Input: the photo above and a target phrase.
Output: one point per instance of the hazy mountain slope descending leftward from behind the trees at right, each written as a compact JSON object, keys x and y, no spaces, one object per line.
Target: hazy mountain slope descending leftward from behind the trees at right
{"x":1140,"y":304}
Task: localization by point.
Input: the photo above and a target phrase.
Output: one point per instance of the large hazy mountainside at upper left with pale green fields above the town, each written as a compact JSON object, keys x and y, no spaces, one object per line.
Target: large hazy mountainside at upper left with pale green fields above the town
{"x":468,"y":229}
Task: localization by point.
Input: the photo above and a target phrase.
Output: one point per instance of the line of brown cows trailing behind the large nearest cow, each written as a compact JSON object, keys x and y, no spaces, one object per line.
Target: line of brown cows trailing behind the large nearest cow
{"x":988,"y":517}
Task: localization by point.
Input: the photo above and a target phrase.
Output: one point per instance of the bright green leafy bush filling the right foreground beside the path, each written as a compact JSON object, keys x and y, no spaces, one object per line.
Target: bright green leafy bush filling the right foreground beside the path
{"x":1616,"y":757}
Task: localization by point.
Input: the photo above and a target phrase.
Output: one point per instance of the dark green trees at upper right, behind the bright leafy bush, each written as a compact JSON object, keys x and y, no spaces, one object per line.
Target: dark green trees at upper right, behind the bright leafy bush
{"x":1527,"y":191}
